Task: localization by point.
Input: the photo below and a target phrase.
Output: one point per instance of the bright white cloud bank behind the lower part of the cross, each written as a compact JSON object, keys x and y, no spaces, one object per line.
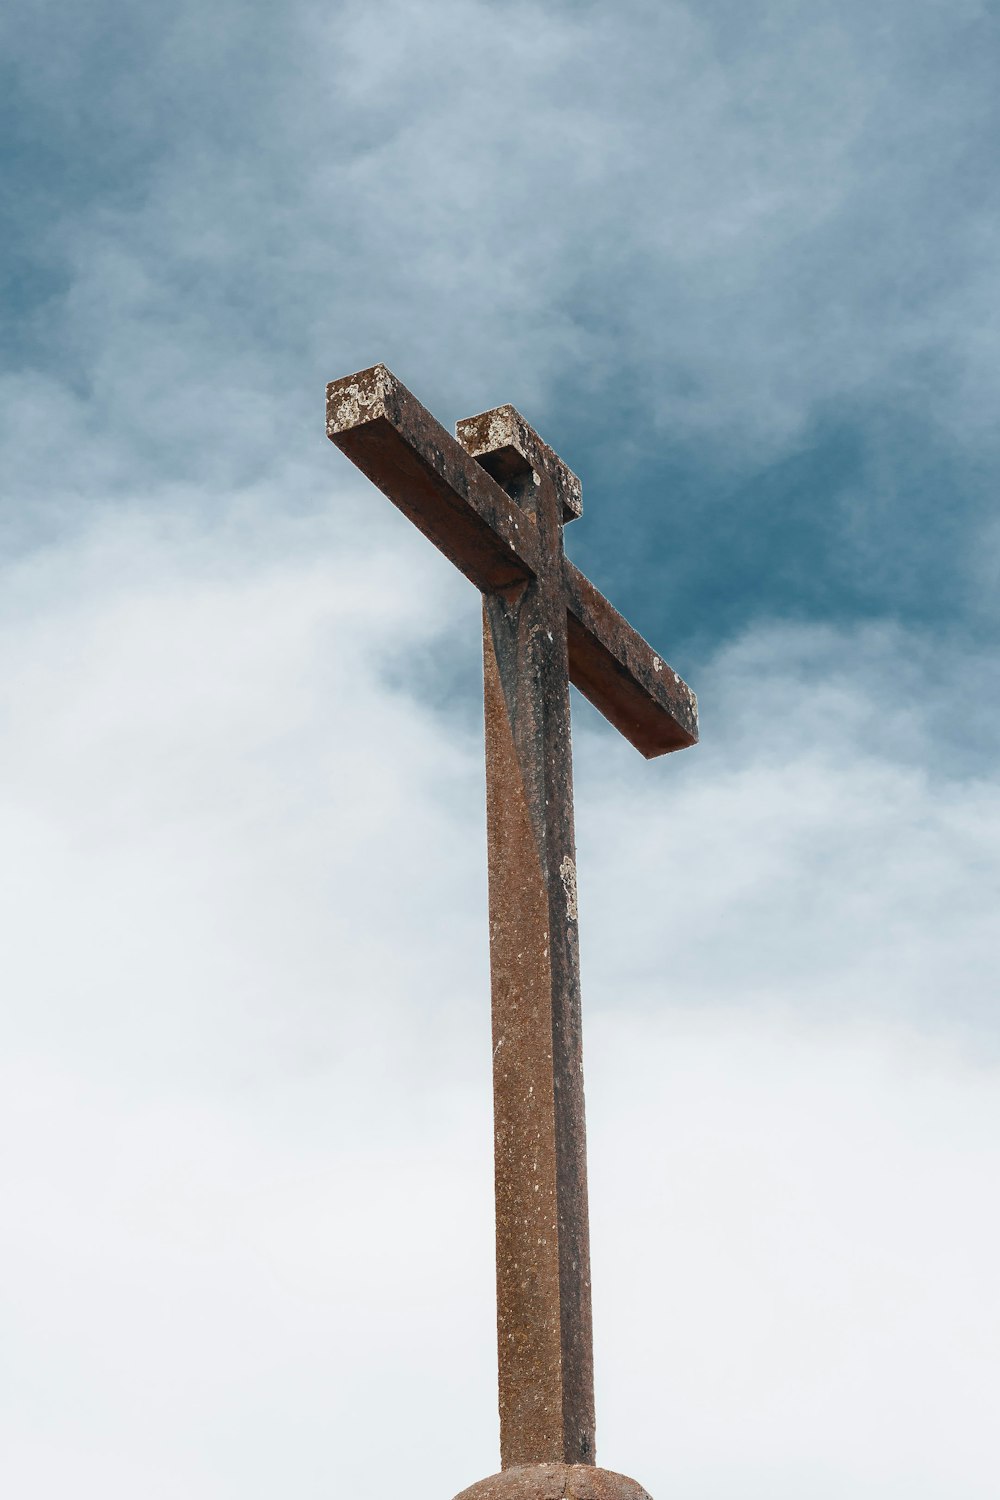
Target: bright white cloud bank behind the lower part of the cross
{"x":247,"y":1048}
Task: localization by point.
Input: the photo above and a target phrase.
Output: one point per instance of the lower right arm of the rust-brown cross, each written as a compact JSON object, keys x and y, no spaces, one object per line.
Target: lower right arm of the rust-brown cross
{"x":621,"y":674}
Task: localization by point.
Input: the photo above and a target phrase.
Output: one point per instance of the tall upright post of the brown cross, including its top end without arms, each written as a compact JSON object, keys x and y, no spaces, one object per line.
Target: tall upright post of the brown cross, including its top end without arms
{"x":543,"y":1277}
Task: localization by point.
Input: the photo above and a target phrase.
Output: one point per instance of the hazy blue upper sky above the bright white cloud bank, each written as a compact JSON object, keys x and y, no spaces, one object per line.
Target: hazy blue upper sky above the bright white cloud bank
{"x":738,"y":265}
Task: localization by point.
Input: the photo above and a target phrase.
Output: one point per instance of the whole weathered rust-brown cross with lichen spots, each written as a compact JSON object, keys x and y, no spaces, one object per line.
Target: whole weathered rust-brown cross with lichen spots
{"x":496,"y":503}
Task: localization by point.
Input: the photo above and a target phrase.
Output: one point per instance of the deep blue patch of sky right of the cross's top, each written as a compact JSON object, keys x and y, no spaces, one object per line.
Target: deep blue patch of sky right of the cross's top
{"x":809,"y":536}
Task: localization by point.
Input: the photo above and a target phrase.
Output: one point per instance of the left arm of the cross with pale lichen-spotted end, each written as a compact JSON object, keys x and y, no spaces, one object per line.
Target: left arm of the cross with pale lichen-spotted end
{"x":430,"y":476}
